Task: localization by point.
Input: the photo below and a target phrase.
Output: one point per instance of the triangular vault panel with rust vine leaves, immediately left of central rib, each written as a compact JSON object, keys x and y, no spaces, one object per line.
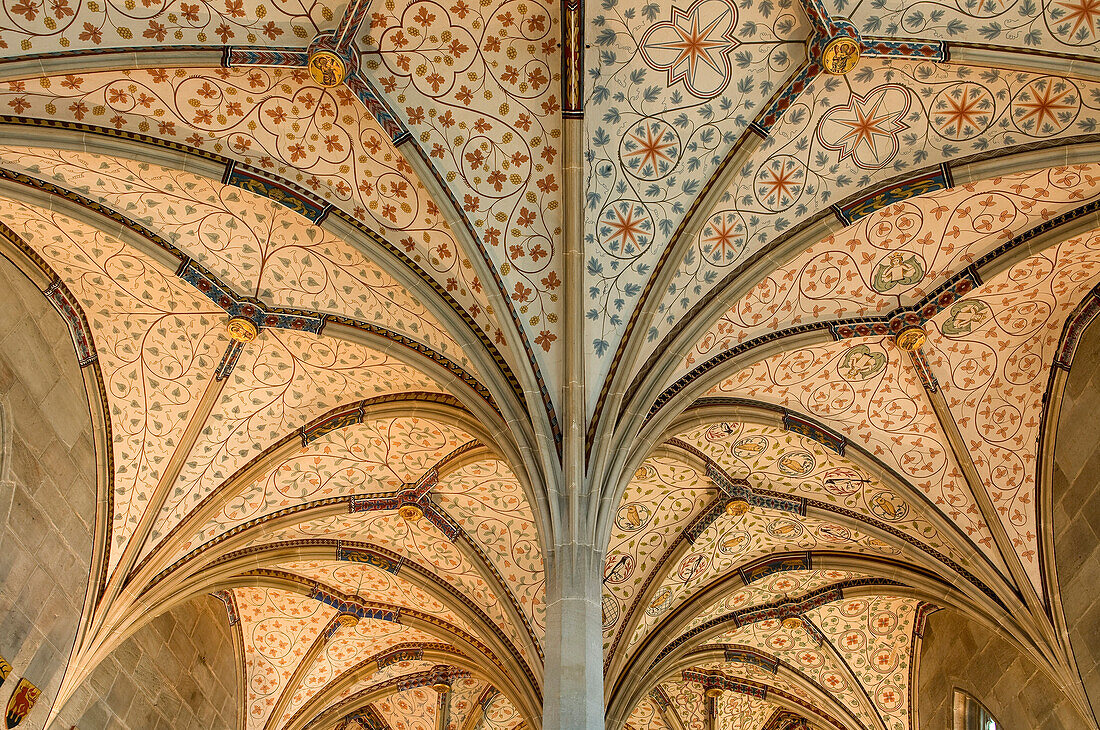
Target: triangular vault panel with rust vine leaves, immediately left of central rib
{"x":479,"y":85}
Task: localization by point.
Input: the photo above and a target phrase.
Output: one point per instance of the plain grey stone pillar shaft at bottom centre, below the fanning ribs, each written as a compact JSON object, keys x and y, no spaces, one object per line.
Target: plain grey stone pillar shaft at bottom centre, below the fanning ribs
{"x":575,"y":666}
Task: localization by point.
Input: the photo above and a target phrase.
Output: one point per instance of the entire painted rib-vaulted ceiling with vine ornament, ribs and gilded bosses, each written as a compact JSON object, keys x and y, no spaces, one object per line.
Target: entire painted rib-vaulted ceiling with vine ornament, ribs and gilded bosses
{"x":328,"y":267}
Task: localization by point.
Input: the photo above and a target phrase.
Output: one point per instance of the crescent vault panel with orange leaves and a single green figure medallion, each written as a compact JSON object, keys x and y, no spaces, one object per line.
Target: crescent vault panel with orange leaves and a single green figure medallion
{"x":896,"y":257}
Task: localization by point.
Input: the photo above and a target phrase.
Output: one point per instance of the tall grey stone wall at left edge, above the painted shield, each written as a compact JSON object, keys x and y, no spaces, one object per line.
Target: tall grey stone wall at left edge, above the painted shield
{"x":48,"y":491}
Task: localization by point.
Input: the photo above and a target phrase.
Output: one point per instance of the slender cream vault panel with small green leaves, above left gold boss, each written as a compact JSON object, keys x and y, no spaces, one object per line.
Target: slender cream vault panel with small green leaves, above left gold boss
{"x":262,"y":249}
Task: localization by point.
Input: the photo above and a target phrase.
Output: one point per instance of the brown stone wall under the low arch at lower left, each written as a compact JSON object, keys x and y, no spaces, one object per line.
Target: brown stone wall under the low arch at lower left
{"x":178,"y":673}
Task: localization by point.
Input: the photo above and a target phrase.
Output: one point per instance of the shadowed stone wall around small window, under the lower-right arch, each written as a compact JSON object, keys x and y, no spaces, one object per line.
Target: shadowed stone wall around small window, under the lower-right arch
{"x":961,"y":654}
